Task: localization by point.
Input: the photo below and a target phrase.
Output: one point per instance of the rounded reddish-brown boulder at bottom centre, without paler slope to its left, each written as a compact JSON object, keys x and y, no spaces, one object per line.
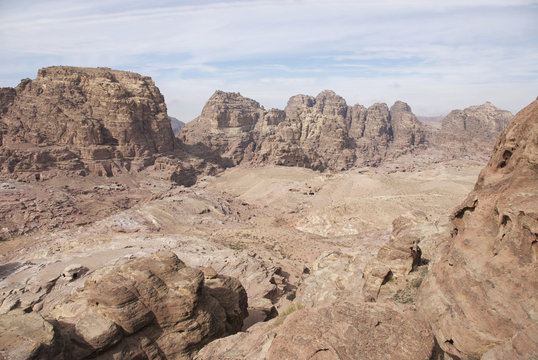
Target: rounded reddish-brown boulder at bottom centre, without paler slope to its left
{"x":352,"y":331}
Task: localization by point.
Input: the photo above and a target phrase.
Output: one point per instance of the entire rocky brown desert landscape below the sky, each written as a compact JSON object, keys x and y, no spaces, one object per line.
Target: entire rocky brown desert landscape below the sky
{"x":154,"y":246}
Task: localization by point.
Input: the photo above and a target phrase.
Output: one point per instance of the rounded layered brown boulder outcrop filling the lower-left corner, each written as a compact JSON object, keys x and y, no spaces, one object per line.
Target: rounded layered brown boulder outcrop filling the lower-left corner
{"x":148,"y":308}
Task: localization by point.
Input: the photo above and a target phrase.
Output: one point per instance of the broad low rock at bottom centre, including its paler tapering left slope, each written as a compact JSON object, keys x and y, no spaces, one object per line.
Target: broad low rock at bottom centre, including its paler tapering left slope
{"x":343,"y":331}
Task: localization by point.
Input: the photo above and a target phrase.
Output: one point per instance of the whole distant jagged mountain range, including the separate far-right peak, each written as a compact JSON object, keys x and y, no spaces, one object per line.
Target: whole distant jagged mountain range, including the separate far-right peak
{"x":324,"y":132}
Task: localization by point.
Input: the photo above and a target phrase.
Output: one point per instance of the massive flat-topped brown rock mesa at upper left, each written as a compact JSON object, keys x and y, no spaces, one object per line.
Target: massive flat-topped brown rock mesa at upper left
{"x":97,"y":114}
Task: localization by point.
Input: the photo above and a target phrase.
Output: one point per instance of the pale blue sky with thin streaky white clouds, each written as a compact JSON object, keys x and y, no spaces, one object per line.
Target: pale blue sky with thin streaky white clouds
{"x":435,"y":55}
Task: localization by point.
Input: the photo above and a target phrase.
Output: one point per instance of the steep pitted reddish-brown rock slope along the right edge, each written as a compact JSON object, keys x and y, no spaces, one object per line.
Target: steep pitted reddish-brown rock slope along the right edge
{"x":481,"y":295}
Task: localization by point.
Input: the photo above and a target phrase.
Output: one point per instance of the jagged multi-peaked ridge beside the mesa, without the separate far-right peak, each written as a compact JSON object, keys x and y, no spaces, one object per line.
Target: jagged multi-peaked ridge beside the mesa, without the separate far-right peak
{"x":312,"y":132}
